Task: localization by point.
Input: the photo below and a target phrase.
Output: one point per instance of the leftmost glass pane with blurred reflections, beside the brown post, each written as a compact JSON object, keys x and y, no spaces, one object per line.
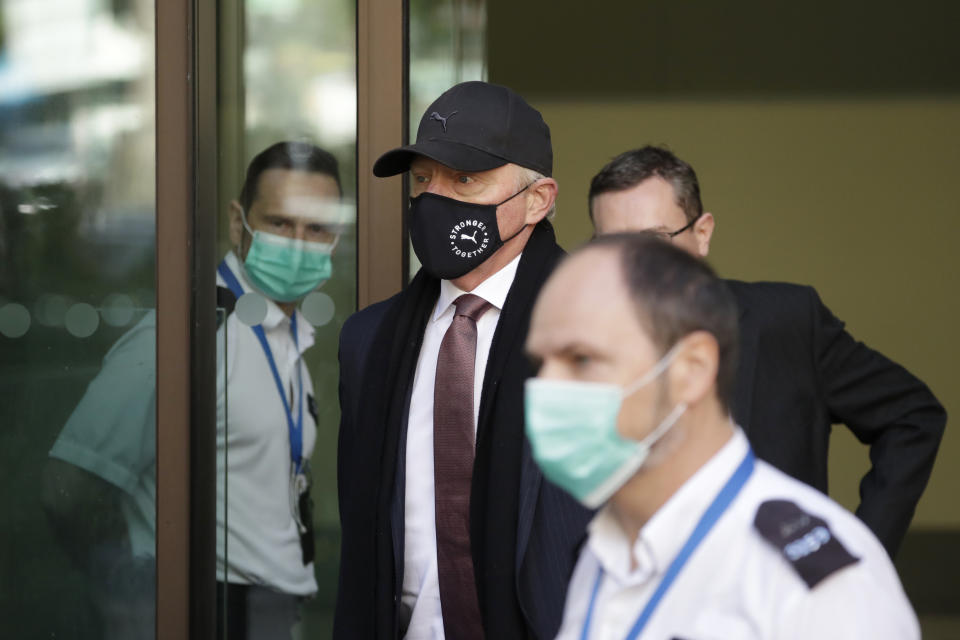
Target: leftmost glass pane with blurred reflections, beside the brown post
{"x":77,"y":324}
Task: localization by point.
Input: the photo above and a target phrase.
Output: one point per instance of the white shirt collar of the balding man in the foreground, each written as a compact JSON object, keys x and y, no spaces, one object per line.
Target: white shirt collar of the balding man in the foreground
{"x":661,"y":539}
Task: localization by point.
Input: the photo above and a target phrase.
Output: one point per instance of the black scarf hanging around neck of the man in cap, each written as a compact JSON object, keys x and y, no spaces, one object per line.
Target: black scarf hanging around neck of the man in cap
{"x":387,"y":384}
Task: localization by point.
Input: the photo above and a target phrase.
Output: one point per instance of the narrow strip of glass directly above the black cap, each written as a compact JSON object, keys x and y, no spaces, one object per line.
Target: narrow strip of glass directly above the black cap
{"x":447,"y":46}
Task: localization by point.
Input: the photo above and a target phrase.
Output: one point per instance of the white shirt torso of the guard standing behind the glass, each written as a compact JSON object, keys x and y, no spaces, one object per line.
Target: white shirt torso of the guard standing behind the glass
{"x":261,"y":543}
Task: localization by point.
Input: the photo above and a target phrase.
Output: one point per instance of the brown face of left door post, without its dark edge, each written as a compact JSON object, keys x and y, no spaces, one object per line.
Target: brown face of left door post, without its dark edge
{"x":174,"y":237}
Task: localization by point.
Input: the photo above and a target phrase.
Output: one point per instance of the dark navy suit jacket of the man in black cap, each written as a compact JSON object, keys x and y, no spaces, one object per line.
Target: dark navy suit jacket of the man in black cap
{"x":550,"y":524}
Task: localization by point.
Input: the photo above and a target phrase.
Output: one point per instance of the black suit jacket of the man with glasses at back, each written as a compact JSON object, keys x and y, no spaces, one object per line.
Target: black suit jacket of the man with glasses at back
{"x":800,"y":372}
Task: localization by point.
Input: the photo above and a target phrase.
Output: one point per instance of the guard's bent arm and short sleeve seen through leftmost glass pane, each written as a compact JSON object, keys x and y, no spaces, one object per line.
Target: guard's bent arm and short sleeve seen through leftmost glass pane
{"x":100,"y":488}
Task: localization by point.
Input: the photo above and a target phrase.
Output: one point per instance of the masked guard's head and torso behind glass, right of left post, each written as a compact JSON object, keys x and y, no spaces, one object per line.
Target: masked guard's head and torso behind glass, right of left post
{"x":284,"y":229}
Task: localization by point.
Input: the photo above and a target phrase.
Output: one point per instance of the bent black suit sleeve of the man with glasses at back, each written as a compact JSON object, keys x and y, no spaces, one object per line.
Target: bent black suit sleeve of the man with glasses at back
{"x":887,"y":408}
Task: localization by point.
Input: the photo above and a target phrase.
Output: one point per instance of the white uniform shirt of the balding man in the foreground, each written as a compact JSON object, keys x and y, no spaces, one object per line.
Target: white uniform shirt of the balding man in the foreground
{"x":736,"y":585}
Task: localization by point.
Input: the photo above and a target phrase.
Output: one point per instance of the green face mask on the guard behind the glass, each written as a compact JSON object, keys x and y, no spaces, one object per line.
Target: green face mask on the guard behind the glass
{"x":286,"y":269}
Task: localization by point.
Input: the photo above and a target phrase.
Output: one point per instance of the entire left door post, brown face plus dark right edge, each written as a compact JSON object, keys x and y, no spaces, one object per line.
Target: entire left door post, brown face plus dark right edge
{"x":186,"y":356}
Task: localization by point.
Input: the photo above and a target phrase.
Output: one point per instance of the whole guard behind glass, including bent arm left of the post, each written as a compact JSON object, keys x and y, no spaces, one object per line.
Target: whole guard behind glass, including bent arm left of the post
{"x":283,"y":227}
